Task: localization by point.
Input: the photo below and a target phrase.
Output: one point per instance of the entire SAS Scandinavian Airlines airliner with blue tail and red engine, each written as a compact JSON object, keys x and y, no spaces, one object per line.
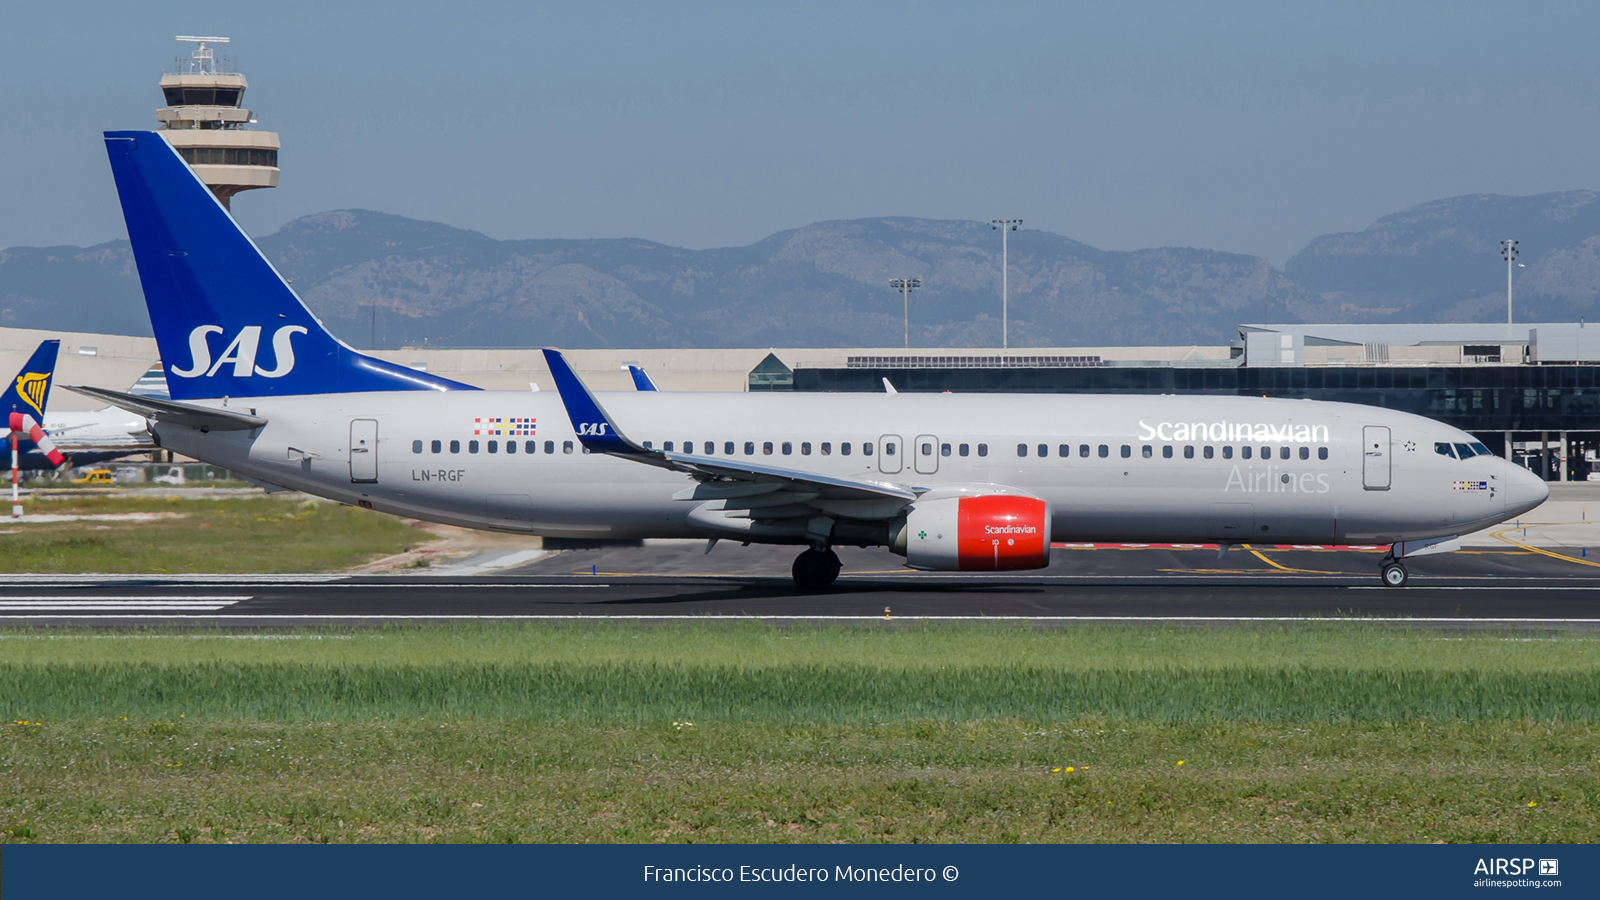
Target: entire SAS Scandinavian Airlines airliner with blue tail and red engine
{"x":948,"y":481}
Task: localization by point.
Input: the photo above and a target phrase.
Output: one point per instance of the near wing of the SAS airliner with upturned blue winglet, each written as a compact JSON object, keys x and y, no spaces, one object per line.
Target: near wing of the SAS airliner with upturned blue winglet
{"x":599,"y":435}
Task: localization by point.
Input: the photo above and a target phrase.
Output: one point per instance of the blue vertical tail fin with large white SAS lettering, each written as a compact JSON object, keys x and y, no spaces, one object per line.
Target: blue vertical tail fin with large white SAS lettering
{"x":225,"y":321}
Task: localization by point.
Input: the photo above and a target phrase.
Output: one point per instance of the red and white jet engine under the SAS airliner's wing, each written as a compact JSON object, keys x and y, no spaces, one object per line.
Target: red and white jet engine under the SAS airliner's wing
{"x":978,"y":534}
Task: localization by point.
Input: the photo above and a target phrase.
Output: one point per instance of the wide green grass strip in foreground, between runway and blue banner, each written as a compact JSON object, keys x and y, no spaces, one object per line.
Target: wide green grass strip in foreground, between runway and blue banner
{"x":748,"y":733}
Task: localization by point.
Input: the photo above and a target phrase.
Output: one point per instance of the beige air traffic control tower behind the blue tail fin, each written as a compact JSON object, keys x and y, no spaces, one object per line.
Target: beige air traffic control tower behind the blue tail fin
{"x":206,"y":123}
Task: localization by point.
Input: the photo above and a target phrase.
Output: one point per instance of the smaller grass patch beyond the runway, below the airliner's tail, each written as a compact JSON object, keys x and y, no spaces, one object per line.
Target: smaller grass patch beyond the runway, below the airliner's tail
{"x":249,"y":536}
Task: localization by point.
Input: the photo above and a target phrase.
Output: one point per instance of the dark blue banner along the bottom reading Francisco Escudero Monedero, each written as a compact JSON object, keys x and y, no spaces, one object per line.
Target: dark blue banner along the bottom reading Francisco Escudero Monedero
{"x":674,"y":870}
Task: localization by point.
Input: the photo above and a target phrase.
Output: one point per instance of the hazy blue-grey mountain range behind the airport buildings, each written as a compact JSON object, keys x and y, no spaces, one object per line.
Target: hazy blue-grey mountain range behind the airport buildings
{"x":388,"y":281}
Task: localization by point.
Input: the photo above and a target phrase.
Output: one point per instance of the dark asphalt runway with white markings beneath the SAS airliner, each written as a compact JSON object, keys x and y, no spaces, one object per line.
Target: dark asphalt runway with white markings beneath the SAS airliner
{"x":670,"y":581}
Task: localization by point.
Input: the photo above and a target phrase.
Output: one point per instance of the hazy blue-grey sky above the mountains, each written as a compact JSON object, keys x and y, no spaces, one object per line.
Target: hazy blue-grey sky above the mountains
{"x":1234,"y":127}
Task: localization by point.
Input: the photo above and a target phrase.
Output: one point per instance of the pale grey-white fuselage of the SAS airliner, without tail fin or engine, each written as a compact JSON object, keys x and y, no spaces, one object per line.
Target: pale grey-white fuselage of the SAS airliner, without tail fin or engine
{"x":1399,"y":489}
